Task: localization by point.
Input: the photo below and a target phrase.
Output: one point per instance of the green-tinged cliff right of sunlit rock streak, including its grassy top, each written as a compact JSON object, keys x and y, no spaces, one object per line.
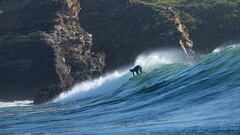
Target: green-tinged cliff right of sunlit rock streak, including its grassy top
{"x":209,"y":23}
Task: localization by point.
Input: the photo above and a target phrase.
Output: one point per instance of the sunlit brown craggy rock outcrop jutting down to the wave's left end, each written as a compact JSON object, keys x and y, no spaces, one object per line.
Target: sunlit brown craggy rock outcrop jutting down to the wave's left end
{"x":72,"y":45}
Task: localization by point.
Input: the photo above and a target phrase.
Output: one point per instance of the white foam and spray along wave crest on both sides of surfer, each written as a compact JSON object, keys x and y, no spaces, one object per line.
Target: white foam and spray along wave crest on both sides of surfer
{"x":112,"y":81}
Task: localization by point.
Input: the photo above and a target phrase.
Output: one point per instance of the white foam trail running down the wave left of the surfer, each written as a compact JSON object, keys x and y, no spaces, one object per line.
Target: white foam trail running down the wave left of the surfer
{"x":93,"y":88}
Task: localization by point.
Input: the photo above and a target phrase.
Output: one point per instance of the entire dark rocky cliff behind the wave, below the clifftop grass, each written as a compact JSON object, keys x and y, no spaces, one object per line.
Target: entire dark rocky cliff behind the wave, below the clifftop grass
{"x":48,"y":45}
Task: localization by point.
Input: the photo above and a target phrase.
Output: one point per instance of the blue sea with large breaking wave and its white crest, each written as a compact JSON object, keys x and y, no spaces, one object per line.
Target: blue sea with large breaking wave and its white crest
{"x":170,"y":97}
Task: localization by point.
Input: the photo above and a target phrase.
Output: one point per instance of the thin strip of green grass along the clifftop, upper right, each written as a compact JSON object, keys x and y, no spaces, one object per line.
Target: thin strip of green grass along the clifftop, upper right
{"x":189,"y":2}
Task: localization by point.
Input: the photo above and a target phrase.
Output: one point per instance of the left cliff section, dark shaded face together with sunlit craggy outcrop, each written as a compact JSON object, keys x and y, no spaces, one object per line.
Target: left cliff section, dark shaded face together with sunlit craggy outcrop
{"x":43,"y":49}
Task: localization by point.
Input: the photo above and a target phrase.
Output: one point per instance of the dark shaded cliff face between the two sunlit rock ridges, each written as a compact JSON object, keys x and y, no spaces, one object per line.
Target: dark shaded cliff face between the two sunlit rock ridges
{"x":122,"y":29}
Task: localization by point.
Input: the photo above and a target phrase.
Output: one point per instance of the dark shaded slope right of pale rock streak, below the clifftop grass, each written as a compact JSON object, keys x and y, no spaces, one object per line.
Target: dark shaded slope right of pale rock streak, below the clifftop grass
{"x":211,"y":25}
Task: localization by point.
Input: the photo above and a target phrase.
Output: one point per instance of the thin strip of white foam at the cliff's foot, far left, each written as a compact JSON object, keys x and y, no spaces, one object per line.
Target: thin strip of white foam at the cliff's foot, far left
{"x":15,"y":103}
